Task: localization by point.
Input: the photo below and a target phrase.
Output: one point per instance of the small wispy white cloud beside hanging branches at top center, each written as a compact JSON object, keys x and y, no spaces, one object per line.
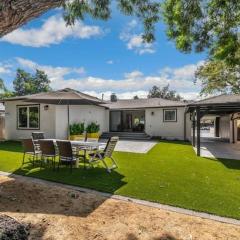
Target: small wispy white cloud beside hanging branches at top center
{"x":134,"y":40}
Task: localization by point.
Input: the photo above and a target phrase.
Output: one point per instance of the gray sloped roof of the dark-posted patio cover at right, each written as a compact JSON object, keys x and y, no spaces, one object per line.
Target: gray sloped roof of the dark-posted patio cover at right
{"x":220,"y":99}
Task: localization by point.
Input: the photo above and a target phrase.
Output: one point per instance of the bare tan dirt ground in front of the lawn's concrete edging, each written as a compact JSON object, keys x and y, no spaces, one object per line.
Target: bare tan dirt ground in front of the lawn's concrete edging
{"x":59,"y":213}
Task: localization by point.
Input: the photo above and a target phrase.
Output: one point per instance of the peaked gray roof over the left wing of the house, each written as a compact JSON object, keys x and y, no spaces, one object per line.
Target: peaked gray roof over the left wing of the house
{"x":64,"y":96}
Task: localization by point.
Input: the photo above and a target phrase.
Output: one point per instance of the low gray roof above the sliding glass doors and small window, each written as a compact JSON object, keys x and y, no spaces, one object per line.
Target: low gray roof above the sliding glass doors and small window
{"x":144,"y":103}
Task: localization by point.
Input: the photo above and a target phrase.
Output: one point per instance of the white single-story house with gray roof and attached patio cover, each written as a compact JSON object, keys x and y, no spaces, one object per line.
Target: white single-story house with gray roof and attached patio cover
{"x":52,"y":113}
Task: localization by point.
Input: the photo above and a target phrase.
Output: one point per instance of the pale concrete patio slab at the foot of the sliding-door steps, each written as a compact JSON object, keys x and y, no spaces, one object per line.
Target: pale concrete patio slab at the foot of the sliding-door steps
{"x":134,"y":146}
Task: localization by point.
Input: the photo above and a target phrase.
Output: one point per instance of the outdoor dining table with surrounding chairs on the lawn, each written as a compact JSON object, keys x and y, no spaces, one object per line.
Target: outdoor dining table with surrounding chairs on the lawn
{"x":69,"y":153}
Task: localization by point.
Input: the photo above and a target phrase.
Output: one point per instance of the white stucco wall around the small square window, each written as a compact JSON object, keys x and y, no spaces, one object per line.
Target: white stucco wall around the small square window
{"x":155,"y":126}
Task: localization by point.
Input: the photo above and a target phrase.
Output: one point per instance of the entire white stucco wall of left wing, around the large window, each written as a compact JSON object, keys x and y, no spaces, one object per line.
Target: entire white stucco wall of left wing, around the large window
{"x":53,"y":122}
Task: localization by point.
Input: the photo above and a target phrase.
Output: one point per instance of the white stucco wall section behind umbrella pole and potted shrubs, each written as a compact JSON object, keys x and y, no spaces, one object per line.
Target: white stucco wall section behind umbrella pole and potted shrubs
{"x":80,"y":113}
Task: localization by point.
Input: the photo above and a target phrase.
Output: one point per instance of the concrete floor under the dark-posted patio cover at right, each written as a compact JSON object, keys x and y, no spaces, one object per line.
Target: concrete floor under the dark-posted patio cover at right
{"x":220,"y":150}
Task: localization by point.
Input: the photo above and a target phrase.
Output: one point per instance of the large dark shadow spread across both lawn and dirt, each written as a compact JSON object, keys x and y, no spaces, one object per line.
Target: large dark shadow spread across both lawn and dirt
{"x":34,"y":196}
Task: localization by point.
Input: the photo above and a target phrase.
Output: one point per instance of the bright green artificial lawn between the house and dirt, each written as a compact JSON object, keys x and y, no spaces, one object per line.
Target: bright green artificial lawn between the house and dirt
{"x":170,"y":173}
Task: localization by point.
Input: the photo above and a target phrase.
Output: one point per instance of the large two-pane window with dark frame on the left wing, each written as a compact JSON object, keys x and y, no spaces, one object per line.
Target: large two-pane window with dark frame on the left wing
{"x":28,"y":117}
